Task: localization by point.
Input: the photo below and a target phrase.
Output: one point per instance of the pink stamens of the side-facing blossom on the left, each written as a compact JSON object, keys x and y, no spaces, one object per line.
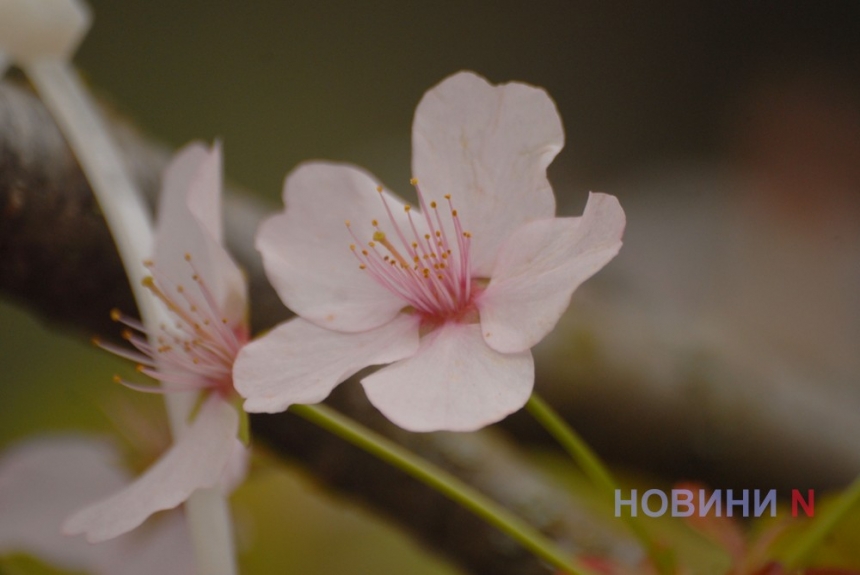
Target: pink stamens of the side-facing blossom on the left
{"x":196,"y":352}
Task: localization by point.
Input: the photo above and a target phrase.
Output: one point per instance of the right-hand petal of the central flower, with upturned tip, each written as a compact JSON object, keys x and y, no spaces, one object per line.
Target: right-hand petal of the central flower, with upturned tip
{"x":540,"y":266}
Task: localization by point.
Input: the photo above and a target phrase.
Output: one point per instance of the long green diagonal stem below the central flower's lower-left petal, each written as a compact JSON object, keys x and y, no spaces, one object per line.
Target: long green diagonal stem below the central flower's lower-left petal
{"x":442,"y":481}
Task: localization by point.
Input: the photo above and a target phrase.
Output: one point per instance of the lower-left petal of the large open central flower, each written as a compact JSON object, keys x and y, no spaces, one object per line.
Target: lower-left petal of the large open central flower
{"x":300,"y":362}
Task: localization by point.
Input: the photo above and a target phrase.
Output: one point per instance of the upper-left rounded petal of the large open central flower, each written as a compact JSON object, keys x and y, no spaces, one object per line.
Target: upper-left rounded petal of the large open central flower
{"x":306,"y":249}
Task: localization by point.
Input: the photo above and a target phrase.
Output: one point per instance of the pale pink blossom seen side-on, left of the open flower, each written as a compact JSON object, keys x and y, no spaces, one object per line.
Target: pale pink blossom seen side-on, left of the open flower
{"x":205,"y":326}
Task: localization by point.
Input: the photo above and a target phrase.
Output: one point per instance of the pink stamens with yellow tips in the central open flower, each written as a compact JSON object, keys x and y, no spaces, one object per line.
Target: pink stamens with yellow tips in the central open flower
{"x":429,"y":270}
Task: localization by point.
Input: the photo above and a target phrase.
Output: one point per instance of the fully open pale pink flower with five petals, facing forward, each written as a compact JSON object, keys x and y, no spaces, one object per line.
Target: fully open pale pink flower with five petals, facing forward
{"x":454,"y":292}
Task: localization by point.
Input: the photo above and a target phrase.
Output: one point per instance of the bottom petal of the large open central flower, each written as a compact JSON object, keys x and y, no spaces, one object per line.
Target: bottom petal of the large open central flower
{"x":455,"y":382}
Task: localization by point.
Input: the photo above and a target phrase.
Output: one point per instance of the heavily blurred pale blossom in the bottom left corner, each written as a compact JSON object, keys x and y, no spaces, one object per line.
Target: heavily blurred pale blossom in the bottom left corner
{"x":42,"y":480}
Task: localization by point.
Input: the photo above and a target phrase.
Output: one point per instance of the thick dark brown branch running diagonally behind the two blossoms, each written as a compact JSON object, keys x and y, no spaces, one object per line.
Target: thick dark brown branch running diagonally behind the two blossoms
{"x":57,"y":259}
